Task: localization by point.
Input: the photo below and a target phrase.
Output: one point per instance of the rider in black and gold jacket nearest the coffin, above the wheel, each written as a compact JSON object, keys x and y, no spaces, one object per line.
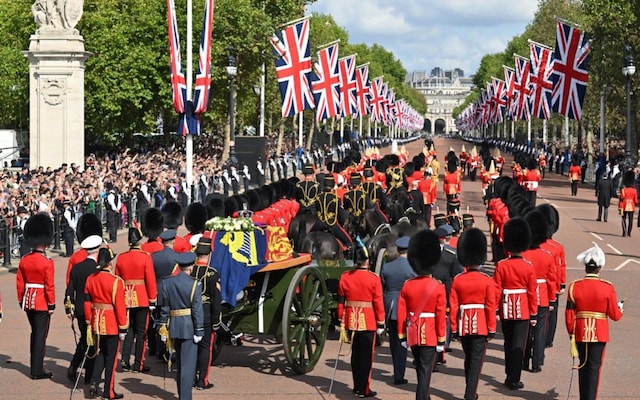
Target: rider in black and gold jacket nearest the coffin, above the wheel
{"x":329,"y":213}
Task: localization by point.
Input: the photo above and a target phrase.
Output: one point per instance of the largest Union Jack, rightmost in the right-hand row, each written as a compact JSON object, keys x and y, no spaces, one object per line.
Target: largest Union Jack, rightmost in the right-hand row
{"x":571,"y":71}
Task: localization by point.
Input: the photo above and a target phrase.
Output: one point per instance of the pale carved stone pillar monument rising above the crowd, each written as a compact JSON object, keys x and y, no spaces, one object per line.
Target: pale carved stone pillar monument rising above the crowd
{"x":56,"y":85}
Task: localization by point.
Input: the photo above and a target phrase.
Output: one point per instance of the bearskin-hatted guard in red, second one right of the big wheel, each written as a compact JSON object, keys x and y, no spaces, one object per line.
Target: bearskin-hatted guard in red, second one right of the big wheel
{"x":473,"y":307}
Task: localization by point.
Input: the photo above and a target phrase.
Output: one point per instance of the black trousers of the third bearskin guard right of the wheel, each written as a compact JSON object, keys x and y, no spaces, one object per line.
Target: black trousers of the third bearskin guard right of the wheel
{"x":515,"y":339}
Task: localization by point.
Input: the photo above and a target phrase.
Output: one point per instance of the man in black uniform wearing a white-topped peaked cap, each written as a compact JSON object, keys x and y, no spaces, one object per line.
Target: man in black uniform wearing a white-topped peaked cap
{"x":74,"y":303}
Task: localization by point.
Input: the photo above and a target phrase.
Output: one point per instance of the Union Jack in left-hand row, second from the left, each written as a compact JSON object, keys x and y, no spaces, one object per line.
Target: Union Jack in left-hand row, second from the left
{"x":326,"y":83}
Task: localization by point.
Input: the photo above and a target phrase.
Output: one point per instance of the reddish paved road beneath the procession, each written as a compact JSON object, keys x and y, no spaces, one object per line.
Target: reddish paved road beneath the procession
{"x":258,"y":369}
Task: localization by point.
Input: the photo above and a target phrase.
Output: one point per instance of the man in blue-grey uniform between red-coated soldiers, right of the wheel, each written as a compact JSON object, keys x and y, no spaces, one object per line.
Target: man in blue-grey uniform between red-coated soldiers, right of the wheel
{"x":393,"y":276}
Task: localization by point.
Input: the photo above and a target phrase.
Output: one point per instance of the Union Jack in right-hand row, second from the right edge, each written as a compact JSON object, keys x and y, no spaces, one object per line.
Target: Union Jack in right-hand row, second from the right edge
{"x":540,"y":77}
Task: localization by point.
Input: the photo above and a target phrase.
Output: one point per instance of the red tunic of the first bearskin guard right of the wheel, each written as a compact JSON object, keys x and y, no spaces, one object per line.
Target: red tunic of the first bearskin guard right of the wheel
{"x":431,"y":321}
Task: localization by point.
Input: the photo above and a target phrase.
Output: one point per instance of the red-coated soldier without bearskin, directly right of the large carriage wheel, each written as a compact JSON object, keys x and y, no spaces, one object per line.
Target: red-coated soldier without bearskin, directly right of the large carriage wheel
{"x":361,"y":312}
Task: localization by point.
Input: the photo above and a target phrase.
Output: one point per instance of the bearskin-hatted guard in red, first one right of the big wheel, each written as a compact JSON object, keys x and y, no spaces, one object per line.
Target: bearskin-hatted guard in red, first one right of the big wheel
{"x":422,"y":309}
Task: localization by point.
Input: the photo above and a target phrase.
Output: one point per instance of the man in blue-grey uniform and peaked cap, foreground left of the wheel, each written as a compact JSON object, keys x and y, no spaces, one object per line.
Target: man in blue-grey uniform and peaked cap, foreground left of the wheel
{"x":181,"y":311}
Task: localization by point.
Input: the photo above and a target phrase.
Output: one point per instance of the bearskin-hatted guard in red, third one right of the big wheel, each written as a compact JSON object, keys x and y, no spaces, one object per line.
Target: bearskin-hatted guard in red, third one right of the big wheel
{"x":516,"y":295}
